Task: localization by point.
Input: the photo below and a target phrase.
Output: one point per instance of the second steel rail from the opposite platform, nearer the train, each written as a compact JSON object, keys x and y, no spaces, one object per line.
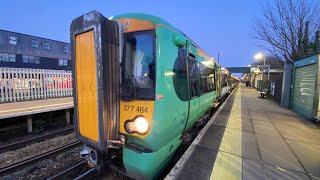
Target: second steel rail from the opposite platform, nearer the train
{"x":23,"y":163}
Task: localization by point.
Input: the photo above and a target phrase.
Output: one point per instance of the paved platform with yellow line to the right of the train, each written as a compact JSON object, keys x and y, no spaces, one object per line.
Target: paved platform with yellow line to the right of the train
{"x":252,"y":138}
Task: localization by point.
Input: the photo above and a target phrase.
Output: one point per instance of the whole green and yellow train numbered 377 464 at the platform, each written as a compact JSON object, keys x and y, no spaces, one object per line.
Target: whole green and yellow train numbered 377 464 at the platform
{"x":139,"y":85}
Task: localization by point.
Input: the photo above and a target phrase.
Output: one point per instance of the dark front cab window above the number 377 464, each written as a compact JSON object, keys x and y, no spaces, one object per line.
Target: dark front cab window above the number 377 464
{"x":138,"y":65}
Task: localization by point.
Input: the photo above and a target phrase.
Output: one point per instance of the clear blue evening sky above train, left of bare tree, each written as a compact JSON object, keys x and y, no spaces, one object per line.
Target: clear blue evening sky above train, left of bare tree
{"x":215,"y":25}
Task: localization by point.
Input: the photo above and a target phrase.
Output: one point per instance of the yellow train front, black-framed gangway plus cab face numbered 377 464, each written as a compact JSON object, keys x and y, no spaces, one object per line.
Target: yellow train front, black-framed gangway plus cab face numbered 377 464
{"x":107,"y":106}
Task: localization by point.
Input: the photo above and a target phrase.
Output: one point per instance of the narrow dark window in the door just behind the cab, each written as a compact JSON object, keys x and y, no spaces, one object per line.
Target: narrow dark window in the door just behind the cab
{"x":193,"y":76}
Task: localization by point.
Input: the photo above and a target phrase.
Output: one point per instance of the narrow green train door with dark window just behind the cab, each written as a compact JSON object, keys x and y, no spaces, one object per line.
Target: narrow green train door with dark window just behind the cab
{"x":194,"y":90}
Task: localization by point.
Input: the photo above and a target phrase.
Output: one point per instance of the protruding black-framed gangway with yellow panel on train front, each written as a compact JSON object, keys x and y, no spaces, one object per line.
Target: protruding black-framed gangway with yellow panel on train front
{"x":96,"y":54}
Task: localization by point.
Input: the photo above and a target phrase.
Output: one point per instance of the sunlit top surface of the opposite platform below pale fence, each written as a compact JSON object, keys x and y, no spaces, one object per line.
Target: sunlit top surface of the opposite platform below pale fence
{"x":15,"y":109}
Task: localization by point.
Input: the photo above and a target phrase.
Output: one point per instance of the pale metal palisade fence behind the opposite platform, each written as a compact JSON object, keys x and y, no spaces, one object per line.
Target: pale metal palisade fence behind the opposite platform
{"x":18,"y":84}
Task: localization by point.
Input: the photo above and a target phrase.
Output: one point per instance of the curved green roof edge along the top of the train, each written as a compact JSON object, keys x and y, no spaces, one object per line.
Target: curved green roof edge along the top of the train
{"x":157,"y":21}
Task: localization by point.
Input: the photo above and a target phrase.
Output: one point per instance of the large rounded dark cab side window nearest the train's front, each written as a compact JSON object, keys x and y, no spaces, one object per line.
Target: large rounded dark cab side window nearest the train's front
{"x":179,"y":78}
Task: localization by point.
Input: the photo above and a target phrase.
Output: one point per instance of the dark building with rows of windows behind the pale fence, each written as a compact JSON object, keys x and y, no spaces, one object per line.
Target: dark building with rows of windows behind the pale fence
{"x":25,"y":51}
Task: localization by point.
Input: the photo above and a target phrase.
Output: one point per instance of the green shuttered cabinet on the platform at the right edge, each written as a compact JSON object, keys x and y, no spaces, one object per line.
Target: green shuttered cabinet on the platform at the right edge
{"x":305,"y":92}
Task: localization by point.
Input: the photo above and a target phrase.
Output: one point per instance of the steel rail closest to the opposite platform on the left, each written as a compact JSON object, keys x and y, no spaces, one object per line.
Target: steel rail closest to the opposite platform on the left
{"x":19,"y":144}
